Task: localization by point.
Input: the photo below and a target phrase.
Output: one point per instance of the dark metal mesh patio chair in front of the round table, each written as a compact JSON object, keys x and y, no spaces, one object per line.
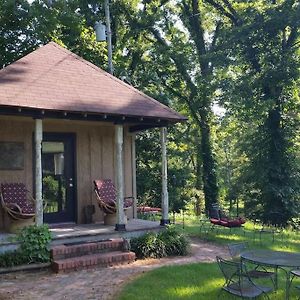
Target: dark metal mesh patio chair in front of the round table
{"x":237,"y":282}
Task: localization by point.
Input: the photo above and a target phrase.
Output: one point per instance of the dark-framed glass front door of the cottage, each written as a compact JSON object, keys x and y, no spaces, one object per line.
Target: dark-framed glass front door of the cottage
{"x":58,"y":163}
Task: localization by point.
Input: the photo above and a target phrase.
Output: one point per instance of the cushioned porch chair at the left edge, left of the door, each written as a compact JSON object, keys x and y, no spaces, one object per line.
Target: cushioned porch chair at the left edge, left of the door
{"x":17,"y":201}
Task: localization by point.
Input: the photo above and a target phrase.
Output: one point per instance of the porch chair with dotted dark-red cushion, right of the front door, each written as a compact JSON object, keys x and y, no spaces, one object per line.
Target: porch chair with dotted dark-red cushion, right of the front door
{"x":106,"y":195}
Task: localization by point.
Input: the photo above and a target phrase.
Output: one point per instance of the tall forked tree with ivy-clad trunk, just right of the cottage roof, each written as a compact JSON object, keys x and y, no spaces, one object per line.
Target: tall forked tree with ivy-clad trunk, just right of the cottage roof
{"x":182,"y":68}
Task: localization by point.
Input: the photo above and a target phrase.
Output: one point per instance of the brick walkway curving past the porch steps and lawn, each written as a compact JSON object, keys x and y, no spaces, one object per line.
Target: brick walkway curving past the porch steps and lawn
{"x":95,"y":283}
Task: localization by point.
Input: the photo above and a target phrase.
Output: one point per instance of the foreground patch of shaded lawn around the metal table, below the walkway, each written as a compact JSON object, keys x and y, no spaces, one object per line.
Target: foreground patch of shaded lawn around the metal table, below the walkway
{"x":201,"y":281}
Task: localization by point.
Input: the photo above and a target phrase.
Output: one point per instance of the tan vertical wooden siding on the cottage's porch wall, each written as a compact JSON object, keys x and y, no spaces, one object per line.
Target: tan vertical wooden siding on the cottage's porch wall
{"x":94,"y":156}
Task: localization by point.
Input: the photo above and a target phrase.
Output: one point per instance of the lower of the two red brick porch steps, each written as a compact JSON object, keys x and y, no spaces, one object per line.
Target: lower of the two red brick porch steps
{"x":88,"y":261}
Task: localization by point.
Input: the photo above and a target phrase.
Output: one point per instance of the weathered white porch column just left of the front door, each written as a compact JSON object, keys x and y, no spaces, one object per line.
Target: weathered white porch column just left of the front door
{"x":38,"y":134}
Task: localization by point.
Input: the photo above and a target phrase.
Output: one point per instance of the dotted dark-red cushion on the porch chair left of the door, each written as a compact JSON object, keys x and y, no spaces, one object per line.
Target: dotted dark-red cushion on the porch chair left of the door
{"x":16,"y":193}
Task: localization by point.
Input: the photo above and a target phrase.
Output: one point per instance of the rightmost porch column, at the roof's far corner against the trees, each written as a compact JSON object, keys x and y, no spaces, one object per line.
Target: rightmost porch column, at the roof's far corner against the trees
{"x":164,"y":170}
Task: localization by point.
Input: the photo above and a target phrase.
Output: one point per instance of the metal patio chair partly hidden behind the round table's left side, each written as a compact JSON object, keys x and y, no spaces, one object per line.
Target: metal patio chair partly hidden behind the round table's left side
{"x":235,"y":249}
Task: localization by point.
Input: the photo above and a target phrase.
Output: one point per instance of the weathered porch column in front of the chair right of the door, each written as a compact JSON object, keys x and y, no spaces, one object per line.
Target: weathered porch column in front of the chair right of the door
{"x":120,"y":226}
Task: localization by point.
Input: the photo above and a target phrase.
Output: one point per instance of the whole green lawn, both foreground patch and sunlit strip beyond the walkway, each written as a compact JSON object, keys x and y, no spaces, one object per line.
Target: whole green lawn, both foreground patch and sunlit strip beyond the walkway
{"x":203,"y":280}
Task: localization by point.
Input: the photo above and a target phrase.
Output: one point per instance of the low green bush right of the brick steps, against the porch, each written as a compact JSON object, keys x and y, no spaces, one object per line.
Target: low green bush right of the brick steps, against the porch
{"x":153,"y":245}
